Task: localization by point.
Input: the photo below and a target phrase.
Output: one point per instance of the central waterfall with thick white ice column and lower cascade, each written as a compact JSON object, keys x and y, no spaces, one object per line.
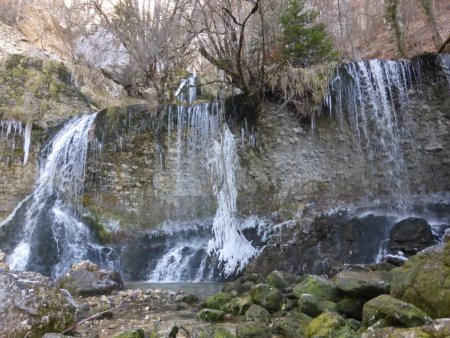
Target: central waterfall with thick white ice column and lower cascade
{"x":204,"y":147}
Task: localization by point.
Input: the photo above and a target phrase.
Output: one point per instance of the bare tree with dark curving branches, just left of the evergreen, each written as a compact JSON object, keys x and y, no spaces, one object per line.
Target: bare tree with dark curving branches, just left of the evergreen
{"x":238,"y":37}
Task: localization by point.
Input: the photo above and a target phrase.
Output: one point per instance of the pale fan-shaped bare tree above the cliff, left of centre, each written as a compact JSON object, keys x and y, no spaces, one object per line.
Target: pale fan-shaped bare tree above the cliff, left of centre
{"x":155,"y":37}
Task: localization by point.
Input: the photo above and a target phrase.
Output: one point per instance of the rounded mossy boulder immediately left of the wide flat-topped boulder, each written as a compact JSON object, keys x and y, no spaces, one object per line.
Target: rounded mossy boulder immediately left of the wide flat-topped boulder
{"x":319,"y":287}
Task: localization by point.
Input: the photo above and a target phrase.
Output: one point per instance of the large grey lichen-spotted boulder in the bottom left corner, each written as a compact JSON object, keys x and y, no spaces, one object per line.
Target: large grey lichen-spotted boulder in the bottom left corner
{"x":30,"y":306}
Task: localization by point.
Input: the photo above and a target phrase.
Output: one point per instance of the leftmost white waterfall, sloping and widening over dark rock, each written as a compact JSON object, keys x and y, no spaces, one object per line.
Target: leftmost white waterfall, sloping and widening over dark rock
{"x":52,"y":237}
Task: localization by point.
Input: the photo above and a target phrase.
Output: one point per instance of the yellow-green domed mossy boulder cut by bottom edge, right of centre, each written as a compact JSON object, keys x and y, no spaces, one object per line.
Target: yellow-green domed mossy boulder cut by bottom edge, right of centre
{"x":329,"y":325}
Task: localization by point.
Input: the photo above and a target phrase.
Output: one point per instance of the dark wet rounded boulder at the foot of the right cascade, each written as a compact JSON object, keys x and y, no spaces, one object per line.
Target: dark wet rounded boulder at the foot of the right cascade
{"x":410,"y":236}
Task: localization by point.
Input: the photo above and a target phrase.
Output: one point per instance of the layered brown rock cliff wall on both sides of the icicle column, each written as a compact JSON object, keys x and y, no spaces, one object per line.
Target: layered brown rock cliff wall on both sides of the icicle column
{"x":144,"y":172}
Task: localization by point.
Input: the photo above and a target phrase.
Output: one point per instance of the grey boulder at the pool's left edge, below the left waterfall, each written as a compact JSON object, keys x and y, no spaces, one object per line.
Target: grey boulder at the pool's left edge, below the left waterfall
{"x":87,"y":279}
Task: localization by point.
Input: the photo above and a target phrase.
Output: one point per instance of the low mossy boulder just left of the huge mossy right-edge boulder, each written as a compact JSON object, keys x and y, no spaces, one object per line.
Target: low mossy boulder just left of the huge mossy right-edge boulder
{"x":393,"y":312}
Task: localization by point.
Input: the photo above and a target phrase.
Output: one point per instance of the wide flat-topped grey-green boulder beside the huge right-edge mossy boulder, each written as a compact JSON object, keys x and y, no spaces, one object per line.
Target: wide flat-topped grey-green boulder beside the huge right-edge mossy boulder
{"x":363,"y":284}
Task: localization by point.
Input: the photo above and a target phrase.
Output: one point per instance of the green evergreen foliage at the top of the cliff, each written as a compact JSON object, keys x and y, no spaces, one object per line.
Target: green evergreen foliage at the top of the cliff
{"x":305,"y":42}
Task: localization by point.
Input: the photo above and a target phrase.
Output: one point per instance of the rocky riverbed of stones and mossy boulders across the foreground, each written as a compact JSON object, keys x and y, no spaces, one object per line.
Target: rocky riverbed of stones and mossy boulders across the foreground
{"x":369,"y":301}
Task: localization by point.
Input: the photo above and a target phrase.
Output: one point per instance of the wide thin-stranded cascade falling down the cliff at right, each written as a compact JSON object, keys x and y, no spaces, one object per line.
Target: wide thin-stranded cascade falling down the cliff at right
{"x":372,"y":95}
